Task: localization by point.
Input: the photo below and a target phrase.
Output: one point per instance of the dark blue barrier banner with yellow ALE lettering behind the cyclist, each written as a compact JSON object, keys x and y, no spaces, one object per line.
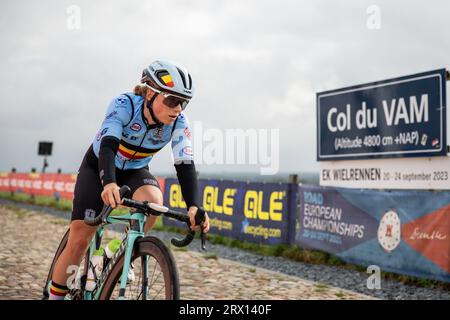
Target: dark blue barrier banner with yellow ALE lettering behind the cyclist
{"x":254,"y":212}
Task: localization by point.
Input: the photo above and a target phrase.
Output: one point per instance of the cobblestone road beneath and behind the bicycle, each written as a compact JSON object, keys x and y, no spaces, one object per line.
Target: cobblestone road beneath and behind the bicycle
{"x":29,"y":239}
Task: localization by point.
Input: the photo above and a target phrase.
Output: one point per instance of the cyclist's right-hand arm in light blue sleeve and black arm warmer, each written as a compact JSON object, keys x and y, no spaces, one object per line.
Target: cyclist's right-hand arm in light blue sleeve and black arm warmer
{"x":184,"y":162}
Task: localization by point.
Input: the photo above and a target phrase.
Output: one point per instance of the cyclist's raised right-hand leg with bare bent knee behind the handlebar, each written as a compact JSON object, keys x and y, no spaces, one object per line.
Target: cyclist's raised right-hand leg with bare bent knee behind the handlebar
{"x":144,"y":186}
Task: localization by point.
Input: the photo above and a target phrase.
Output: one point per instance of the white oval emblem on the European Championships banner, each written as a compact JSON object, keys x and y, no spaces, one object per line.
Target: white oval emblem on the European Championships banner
{"x":389,"y":231}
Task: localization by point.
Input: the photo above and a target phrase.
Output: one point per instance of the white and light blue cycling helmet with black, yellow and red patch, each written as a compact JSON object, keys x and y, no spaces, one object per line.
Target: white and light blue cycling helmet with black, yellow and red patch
{"x":169,"y":77}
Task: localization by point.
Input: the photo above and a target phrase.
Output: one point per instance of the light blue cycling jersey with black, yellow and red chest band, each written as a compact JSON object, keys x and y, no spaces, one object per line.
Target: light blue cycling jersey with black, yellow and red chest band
{"x":139,"y":140}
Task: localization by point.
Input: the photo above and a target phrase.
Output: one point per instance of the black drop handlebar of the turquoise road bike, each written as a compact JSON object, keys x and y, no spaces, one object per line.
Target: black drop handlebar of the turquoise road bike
{"x":156,"y":210}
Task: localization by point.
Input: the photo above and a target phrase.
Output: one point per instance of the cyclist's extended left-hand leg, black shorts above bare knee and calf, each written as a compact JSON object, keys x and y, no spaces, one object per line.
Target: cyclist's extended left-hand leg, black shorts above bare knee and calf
{"x":87,"y":200}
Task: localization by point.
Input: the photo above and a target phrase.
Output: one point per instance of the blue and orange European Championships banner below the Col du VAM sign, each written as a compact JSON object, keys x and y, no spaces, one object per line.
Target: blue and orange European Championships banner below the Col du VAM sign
{"x":406,"y":232}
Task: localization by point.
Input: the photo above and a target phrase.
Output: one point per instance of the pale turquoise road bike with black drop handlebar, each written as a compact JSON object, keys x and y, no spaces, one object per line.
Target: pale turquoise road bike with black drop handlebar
{"x":136,"y":249}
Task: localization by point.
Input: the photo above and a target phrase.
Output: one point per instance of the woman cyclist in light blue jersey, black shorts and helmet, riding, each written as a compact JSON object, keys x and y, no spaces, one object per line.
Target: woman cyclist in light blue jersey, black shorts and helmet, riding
{"x":136,"y":126}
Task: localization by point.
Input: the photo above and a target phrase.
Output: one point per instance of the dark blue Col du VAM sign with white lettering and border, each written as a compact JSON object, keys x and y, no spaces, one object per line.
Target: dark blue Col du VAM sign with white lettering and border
{"x":401,"y":117}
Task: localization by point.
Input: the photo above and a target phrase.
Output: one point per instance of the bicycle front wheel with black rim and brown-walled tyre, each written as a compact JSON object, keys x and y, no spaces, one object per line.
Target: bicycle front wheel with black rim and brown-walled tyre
{"x":154,"y":275}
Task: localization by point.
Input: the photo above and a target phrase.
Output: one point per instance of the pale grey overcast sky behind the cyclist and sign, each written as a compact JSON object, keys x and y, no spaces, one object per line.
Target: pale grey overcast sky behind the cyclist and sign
{"x":255,"y":64}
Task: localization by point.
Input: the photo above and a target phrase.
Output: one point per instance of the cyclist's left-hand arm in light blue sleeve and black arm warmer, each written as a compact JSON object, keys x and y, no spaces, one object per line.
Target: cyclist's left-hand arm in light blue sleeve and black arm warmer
{"x":117,"y":115}
